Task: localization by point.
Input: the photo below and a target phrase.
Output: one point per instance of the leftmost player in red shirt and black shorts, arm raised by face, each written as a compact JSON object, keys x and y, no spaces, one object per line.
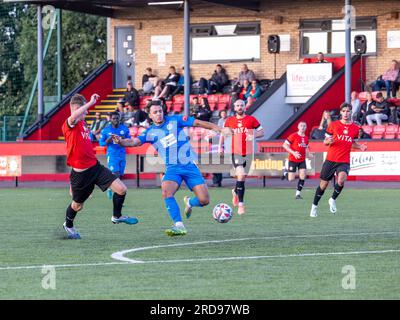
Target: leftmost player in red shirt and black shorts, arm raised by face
{"x":86,"y":170}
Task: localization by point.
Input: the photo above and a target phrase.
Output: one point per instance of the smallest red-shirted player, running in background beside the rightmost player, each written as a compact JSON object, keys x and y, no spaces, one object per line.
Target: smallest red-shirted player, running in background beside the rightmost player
{"x":296,"y":145}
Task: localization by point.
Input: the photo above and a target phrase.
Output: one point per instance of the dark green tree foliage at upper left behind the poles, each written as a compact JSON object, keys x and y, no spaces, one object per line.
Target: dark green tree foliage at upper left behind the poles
{"x":83,"y":49}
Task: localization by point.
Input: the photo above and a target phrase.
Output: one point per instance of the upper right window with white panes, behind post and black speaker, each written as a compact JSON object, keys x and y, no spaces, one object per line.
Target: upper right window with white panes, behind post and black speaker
{"x":328,"y":36}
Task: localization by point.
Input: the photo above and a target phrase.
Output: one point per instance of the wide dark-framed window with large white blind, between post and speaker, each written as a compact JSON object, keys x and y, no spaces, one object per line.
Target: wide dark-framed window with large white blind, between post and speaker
{"x":225,"y":42}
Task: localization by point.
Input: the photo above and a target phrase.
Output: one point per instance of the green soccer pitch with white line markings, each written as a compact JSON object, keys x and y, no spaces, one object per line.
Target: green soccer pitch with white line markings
{"x":275,"y":251}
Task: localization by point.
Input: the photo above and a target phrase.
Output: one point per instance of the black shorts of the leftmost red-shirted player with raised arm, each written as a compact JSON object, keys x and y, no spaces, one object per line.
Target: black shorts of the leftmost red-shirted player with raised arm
{"x":82,"y":183}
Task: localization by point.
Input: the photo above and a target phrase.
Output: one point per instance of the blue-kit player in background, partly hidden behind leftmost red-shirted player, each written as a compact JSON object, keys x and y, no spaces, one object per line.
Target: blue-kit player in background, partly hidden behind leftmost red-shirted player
{"x":116,"y":154}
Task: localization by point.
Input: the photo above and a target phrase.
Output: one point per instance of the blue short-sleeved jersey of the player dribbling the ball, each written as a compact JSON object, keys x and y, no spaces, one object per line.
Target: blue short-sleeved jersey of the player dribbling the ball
{"x":170,"y":140}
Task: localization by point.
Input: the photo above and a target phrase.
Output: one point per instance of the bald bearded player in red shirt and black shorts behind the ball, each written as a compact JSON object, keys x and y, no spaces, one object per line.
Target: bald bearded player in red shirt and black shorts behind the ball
{"x":245,"y":129}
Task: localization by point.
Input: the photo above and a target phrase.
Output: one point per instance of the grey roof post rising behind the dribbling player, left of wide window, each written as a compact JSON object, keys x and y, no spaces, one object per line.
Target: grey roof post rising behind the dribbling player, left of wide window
{"x":186,"y":41}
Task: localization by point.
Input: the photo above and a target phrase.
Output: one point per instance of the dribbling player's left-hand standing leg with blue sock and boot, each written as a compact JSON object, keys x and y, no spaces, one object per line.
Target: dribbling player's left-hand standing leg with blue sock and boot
{"x":168,"y":189}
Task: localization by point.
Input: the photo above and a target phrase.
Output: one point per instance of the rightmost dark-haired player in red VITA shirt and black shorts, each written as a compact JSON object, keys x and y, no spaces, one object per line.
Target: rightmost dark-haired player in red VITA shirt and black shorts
{"x":340,"y":137}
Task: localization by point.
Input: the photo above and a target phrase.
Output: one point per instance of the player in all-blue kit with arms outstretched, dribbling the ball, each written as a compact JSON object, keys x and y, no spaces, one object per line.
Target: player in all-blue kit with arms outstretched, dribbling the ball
{"x":167,"y":136}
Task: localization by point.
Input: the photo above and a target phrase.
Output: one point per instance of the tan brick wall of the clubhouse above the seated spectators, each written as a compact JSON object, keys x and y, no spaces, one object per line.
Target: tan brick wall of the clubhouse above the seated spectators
{"x":148,"y":22}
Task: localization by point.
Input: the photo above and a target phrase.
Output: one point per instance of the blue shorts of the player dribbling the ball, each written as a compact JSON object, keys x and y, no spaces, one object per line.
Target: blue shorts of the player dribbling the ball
{"x":189,"y":173}
